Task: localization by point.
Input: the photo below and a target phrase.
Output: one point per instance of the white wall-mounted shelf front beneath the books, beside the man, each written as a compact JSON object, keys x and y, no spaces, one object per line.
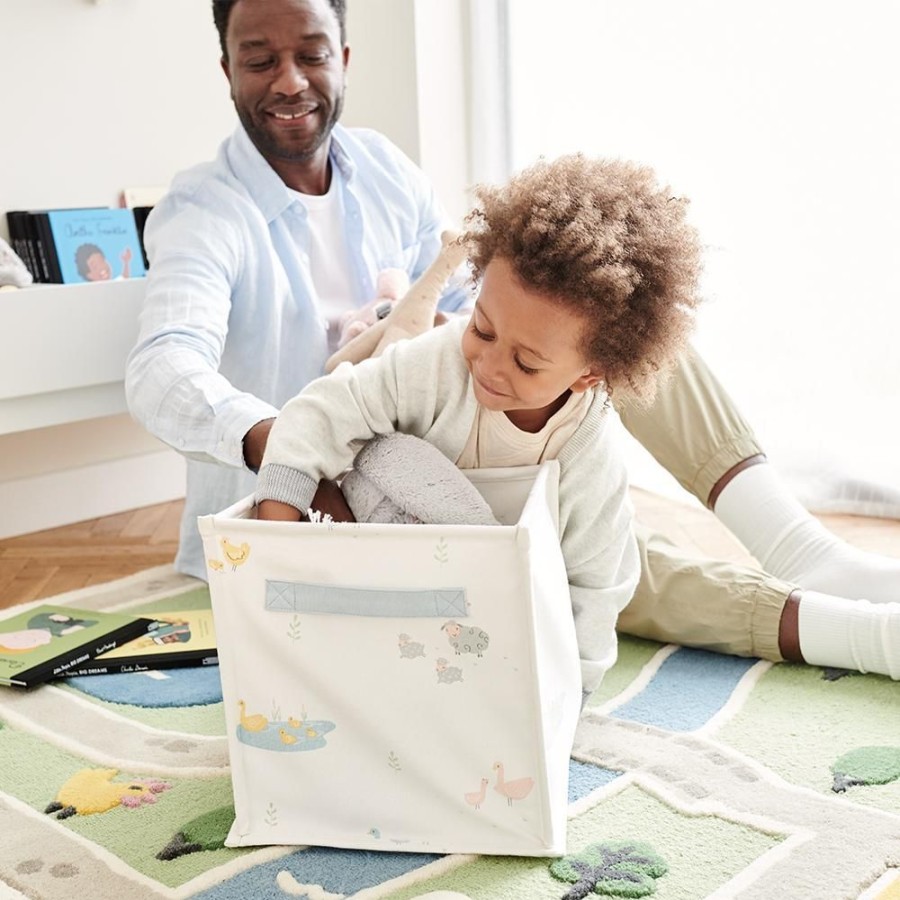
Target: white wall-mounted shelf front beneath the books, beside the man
{"x":63,"y":350}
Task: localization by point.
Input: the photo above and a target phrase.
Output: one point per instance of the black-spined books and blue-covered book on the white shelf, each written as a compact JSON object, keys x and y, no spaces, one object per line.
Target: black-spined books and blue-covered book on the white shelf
{"x":71,"y":246}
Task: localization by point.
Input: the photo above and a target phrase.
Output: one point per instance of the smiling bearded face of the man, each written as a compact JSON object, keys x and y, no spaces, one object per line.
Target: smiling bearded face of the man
{"x":286,"y":68}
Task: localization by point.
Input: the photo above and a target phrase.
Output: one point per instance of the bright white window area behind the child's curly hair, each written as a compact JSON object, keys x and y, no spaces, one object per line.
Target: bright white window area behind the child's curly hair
{"x":779,"y":120}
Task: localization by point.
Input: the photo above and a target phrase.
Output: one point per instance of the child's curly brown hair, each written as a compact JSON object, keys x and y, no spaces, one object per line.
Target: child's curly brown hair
{"x":603,"y":238}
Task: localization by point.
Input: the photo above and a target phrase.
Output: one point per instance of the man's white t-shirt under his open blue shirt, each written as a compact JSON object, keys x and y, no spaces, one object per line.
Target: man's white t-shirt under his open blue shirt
{"x":329,"y":259}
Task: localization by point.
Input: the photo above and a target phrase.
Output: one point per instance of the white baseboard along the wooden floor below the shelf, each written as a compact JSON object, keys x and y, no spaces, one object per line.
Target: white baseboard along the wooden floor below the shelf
{"x":102,"y":489}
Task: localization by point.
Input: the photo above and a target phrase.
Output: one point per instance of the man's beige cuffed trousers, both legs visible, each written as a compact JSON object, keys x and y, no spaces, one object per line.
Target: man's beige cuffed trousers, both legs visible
{"x":694,"y":430}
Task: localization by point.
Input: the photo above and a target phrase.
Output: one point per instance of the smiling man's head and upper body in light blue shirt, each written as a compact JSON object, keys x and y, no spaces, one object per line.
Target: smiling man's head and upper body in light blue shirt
{"x":257,"y":255}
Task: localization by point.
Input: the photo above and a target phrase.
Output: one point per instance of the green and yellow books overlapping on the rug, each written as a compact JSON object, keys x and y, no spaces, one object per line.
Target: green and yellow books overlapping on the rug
{"x":47,"y":642}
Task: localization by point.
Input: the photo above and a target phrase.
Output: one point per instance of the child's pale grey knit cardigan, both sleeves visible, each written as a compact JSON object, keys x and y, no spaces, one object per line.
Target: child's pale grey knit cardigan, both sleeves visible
{"x":422,"y":387}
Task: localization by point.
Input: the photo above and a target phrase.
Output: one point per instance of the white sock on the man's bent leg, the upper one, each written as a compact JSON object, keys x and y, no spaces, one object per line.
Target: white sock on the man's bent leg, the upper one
{"x":789,"y":542}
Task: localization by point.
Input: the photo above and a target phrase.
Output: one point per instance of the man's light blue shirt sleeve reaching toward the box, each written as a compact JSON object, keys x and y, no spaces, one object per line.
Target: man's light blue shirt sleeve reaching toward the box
{"x":173,"y":385}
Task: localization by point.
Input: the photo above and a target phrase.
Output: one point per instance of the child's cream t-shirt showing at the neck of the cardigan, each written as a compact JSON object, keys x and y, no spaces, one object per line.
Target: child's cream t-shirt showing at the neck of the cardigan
{"x":495,"y":442}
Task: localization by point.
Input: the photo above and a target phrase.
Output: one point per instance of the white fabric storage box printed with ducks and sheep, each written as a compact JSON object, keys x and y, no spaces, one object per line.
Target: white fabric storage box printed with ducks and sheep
{"x":399,"y":687}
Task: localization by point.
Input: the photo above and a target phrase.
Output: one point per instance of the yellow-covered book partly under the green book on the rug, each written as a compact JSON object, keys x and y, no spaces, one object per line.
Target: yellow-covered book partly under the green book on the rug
{"x":174,"y":639}
